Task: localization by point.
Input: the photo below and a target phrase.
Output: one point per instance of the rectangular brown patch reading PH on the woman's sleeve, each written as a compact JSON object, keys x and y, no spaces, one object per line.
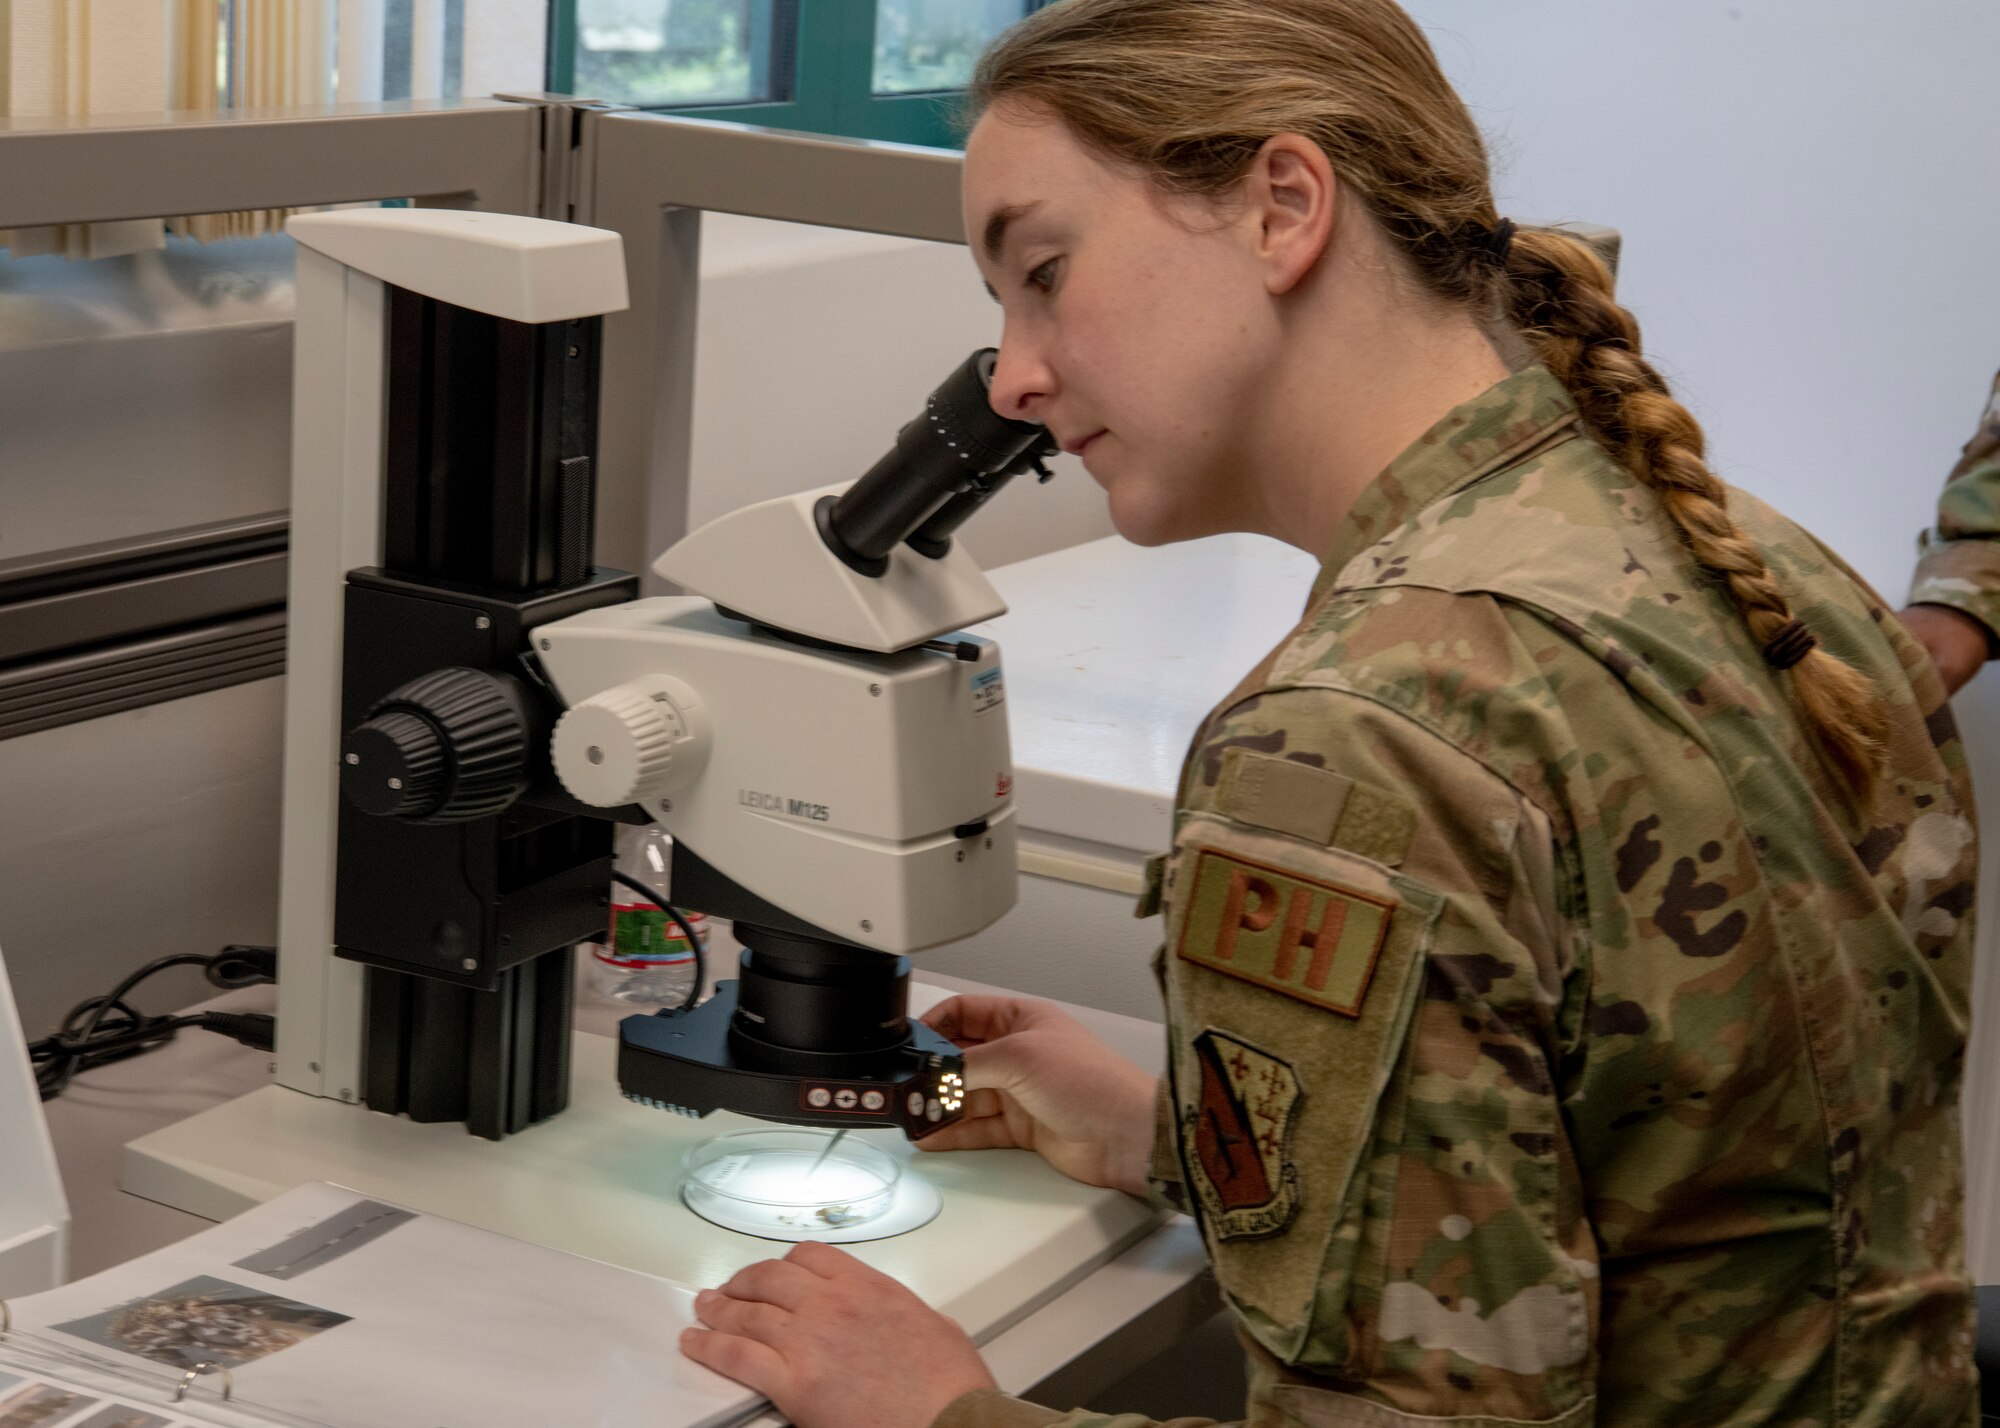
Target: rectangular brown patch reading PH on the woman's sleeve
{"x":1299,"y":937}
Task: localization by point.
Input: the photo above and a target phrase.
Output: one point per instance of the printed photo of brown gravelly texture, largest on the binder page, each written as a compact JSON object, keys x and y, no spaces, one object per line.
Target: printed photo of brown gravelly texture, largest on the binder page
{"x":205,"y":1321}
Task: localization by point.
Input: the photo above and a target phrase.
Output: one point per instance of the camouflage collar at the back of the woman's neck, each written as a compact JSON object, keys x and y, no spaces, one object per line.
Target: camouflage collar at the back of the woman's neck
{"x":1473,"y":441}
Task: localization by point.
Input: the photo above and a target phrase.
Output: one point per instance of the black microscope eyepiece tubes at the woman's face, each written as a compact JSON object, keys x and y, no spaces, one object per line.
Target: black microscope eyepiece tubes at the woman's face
{"x":951,"y":453}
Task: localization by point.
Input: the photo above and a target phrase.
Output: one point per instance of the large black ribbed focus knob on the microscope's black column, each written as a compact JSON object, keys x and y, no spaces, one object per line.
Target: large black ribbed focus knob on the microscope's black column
{"x":441,"y":749}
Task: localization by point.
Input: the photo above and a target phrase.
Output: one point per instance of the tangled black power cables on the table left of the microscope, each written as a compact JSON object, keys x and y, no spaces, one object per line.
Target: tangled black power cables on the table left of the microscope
{"x":109,"y":1029}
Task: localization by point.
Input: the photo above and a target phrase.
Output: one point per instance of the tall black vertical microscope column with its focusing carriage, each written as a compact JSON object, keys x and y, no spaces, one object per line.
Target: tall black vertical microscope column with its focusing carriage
{"x":467,"y":919}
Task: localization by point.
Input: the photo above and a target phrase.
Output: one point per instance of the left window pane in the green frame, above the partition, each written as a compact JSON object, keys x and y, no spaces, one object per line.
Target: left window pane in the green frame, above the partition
{"x":673,"y":51}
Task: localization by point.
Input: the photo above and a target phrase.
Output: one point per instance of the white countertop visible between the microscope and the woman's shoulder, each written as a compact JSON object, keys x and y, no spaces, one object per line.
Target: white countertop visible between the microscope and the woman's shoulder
{"x":1115,"y":653}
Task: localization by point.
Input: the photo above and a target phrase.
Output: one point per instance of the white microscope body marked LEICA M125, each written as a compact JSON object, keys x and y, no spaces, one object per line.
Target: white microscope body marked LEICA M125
{"x":835,"y":779}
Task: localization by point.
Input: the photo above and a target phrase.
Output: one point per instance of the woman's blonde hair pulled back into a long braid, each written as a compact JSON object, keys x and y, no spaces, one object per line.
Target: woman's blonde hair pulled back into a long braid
{"x":1189,"y":91}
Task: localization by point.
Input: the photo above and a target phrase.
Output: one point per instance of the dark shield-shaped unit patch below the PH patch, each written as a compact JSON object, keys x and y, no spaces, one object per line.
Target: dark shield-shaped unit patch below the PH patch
{"x":1239,"y":1139}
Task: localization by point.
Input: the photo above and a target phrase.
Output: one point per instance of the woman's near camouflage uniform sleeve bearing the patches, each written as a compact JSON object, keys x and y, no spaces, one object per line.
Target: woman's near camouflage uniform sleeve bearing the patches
{"x":1369,"y":991}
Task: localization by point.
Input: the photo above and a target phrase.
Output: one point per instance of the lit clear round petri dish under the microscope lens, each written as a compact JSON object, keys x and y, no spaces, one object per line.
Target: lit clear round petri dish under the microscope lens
{"x":765,"y":1183}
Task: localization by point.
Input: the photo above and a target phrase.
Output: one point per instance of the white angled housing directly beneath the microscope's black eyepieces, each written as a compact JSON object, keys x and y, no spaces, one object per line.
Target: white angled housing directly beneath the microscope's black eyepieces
{"x":769,"y":563}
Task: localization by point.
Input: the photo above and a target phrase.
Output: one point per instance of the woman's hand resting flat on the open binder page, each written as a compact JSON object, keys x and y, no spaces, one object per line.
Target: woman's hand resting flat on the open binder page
{"x":835,"y":1343}
